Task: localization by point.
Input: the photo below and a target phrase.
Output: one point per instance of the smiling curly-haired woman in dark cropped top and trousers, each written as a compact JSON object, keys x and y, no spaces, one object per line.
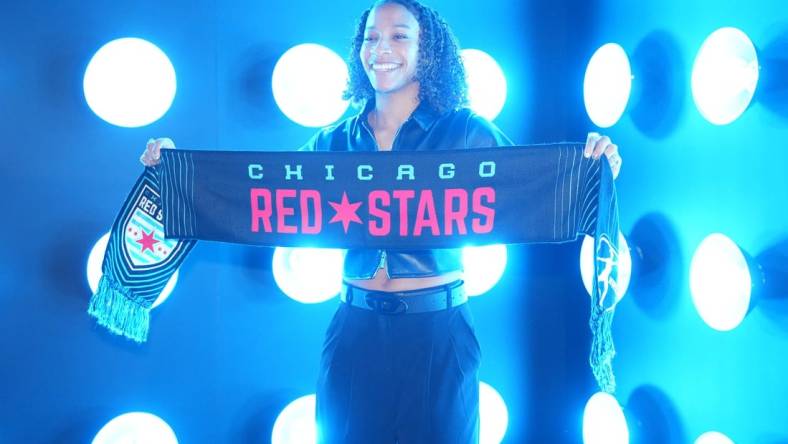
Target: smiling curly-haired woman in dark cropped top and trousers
{"x":400,"y":358}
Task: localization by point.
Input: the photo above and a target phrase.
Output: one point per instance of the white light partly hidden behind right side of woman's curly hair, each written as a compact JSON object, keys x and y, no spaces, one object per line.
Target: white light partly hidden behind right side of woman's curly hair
{"x":486,"y":83}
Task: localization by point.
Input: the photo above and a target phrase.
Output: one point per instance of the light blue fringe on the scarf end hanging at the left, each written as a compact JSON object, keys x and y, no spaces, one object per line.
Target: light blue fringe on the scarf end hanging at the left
{"x":114,"y":308}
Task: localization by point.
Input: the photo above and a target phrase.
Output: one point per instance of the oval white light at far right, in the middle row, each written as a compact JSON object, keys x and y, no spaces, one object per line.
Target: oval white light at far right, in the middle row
{"x":720,"y":282}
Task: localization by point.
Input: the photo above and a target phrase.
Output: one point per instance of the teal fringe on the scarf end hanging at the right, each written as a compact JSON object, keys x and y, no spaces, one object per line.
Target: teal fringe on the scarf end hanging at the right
{"x":602,"y":348}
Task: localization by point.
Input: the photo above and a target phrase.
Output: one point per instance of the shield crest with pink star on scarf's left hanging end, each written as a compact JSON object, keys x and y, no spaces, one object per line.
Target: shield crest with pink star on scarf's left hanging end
{"x":144,"y":244}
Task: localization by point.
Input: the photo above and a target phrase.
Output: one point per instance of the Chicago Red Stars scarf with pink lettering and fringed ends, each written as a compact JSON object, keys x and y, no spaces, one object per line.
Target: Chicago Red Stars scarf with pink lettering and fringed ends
{"x":380,"y":200}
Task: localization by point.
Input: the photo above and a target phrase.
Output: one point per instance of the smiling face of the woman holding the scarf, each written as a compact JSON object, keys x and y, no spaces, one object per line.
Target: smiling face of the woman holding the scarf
{"x":390,"y":50}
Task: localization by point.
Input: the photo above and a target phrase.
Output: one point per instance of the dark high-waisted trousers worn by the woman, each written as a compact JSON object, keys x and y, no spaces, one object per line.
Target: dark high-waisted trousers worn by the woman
{"x":407,"y":379}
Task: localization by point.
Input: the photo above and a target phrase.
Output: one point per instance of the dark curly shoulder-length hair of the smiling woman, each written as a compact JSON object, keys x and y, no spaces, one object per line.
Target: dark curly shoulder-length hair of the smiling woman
{"x":439,"y":70}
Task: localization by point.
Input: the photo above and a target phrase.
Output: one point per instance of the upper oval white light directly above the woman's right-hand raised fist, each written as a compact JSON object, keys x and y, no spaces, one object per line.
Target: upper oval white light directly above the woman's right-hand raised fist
{"x":607,"y":84}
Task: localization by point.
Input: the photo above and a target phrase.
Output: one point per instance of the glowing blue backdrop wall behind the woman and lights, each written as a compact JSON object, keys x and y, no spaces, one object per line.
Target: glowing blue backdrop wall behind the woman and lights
{"x":228,"y":350}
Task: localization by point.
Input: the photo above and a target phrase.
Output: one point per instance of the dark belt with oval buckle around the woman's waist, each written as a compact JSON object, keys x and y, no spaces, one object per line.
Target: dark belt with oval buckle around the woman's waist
{"x":411,"y":301}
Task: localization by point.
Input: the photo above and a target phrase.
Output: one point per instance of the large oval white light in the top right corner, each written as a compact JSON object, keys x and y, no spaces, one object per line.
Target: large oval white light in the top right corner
{"x":724,"y":75}
